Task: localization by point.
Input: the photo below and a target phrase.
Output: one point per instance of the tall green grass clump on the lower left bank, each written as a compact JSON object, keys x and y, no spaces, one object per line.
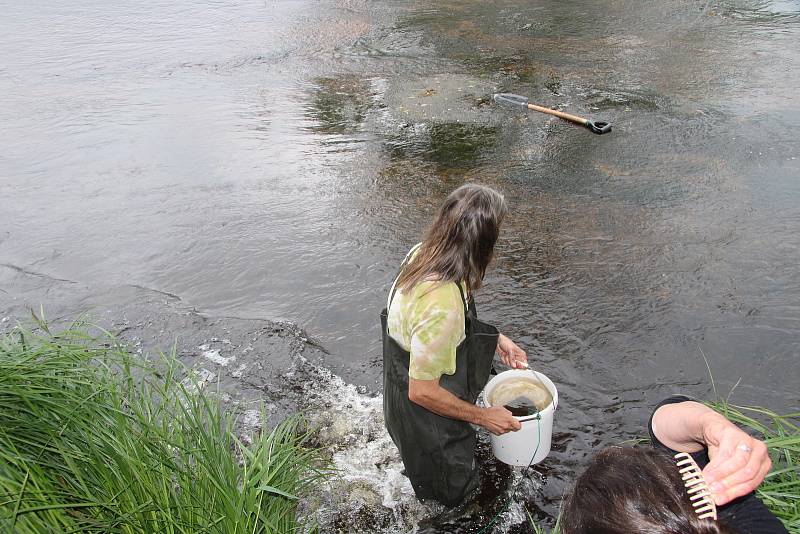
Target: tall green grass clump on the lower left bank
{"x":94,"y":440}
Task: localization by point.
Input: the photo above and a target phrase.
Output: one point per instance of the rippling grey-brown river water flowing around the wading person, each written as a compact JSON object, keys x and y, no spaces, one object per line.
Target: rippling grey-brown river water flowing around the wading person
{"x":218,"y":172}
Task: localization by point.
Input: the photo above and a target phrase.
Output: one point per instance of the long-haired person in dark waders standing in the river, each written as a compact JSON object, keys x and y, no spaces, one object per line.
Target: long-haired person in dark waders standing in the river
{"x":437,"y":355}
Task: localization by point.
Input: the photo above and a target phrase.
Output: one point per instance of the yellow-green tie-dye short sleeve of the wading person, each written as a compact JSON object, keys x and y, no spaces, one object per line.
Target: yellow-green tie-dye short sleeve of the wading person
{"x":437,"y":328}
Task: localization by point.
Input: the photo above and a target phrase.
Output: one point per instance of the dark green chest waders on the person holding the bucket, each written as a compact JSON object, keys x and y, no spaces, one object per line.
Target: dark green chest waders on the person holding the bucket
{"x":438,"y":452}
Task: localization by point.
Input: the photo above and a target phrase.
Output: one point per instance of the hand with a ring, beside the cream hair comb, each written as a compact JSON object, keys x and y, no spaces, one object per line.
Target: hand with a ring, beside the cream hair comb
{"x":738,"y":463}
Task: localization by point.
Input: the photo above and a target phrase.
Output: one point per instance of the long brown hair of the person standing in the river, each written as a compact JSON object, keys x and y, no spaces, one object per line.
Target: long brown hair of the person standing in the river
{"x":459,"y":244}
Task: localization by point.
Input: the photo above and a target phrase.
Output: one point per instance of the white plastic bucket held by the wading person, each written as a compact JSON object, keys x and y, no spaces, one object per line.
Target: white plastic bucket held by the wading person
{"x":520,"y":447}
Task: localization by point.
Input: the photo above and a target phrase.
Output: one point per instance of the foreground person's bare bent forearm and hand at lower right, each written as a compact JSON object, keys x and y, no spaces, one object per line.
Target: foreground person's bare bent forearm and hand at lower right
{"x":738,"y":462}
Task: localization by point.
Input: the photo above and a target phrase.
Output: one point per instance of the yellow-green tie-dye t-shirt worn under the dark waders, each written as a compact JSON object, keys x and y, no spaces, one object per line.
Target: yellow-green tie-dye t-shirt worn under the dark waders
{"x":428,"y":321}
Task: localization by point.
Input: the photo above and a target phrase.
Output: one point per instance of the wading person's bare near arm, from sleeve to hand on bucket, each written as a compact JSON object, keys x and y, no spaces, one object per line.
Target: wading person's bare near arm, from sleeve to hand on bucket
{"x":431,"y":396}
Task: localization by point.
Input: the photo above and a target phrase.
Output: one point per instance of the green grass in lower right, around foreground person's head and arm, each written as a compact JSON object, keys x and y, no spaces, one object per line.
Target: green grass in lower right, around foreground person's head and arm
{"x":780,"y":490}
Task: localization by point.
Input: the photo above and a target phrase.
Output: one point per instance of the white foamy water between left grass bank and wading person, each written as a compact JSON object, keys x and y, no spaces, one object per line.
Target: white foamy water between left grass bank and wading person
{"x":368,"y":493}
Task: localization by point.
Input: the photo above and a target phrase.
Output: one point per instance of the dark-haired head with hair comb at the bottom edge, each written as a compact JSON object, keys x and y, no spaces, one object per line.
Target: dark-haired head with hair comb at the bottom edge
{"x":627,"y":490}
